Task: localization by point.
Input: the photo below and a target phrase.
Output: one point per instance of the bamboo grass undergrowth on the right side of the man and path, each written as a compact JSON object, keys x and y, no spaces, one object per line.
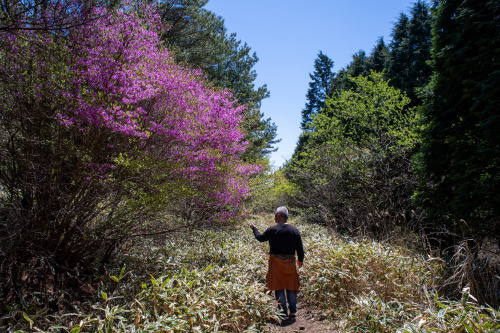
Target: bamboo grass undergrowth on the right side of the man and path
{"x":367,"y":286}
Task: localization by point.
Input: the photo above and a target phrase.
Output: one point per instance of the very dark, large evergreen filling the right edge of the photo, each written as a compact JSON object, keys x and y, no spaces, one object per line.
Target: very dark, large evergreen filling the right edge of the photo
{"x":460,"y":159}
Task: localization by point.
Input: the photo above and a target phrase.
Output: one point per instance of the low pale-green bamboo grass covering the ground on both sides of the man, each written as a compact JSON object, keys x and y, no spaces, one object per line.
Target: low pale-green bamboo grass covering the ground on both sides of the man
{"x":213,"y":280}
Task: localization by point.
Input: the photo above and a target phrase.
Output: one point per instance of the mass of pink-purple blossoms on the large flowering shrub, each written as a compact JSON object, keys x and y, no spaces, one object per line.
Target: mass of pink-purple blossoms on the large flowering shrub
{"x":123,"y":87}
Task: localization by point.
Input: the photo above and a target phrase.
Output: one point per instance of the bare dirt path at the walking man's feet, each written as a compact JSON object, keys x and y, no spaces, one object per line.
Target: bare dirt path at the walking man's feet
{"x":308,"y":320}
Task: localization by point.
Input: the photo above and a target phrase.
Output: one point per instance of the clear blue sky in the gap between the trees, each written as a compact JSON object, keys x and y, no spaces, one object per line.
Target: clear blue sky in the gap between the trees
{"x":287,"y":36}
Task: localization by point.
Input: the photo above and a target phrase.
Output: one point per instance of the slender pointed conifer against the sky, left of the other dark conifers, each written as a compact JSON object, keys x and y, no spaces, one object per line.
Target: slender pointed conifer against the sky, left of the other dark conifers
{"x":318,"y":88}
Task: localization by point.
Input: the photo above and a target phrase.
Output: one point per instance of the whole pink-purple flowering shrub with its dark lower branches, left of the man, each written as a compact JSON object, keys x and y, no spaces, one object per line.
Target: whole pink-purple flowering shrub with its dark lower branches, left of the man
{"x":102,"y":133}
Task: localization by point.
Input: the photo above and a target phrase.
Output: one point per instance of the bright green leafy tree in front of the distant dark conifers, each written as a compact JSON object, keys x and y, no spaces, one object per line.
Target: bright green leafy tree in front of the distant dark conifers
{"x":352,"y":168}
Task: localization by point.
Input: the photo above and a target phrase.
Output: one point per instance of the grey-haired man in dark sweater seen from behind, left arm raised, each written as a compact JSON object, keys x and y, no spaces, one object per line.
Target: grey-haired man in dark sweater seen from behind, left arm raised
{"x":282,"y":277}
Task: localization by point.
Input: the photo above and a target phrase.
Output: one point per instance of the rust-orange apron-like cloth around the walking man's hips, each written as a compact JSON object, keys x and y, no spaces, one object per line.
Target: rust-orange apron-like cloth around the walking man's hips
{"x":282,"y":273}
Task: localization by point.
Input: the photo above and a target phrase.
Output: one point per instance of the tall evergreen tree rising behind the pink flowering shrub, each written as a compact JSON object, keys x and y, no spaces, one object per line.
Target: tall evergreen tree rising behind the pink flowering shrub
{"x":198,"y":37}
